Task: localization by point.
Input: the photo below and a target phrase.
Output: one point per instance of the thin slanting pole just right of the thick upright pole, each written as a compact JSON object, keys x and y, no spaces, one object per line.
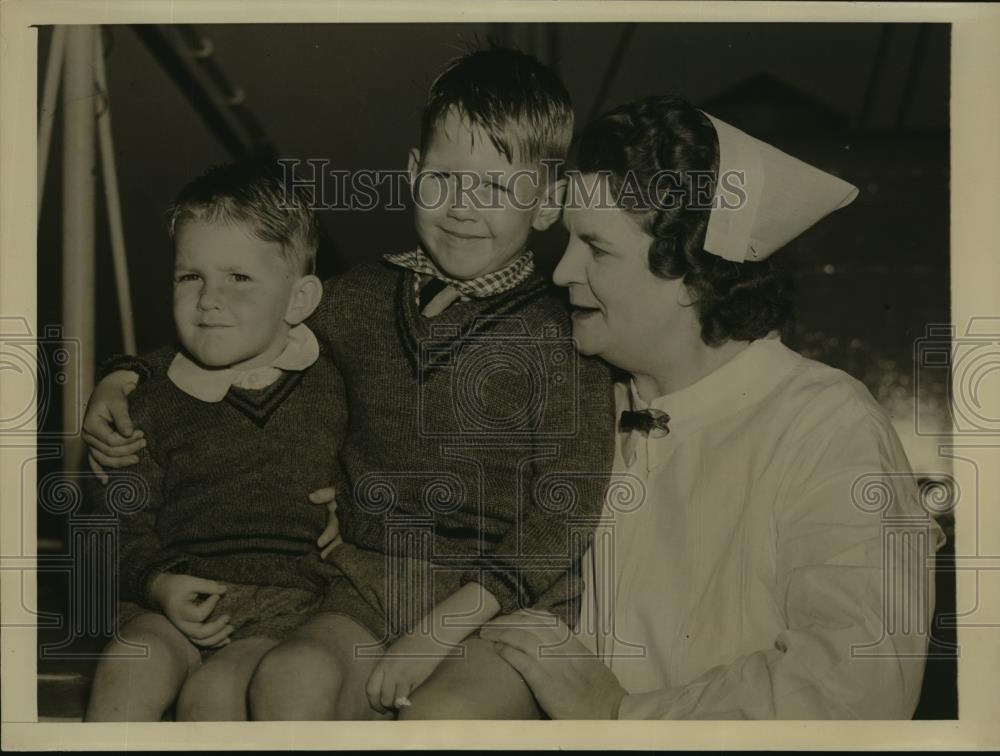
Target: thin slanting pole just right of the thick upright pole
{"x":112,"y":198}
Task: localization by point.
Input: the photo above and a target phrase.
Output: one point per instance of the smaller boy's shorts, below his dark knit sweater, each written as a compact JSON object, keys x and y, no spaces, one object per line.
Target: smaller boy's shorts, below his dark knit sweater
{"x":254,"y":610}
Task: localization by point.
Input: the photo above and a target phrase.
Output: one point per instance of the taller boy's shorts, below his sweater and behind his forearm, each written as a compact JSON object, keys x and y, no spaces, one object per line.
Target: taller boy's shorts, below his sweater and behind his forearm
{"x":389,"y":595}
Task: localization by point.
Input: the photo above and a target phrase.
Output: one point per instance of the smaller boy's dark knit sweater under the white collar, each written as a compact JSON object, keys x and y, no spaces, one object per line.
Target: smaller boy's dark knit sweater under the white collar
{"x":228,"y":481}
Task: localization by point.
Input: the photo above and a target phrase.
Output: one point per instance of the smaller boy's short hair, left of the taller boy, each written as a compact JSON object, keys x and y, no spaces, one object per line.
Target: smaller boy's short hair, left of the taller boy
{"x":256,"y":193}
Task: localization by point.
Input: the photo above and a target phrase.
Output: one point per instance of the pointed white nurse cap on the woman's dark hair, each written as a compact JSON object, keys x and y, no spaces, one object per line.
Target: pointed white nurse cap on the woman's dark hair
{"x":784,"y":197}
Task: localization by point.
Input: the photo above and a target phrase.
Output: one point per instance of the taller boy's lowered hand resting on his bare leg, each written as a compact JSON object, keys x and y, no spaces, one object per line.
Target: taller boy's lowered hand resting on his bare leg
{"x":404,"y":668}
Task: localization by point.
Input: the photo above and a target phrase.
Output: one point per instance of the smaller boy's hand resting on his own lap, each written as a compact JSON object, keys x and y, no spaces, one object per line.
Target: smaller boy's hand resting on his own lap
{"x":178,"y":596}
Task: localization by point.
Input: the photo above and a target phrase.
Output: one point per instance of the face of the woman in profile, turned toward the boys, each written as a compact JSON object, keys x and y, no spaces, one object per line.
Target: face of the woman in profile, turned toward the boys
{"x":620,"y":310}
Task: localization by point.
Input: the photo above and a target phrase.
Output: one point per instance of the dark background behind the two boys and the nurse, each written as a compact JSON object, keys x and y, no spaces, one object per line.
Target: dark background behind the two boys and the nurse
{"x":869,"y":102}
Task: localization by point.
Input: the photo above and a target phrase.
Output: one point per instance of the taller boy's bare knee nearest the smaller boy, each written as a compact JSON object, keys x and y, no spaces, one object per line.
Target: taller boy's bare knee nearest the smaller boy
{"x":316,"y":674}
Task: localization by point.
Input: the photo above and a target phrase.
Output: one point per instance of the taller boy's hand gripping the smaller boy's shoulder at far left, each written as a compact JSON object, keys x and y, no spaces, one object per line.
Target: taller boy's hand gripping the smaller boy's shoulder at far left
{"x":107,"y":427}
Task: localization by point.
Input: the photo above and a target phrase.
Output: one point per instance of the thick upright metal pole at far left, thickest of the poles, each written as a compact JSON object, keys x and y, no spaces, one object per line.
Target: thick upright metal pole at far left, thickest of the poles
{"x":78,"y":222}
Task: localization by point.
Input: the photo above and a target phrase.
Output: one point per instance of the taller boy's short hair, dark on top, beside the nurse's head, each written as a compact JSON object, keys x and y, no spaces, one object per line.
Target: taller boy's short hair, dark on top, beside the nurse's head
{"x":519,"y":102}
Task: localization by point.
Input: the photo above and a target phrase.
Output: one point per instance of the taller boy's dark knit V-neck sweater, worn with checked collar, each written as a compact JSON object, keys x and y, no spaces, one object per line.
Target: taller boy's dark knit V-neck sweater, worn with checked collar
{"x":482,"y":425}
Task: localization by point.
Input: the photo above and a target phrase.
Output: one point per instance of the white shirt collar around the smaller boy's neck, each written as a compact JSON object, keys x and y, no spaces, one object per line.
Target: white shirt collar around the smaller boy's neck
{"x":207,"y":385}
